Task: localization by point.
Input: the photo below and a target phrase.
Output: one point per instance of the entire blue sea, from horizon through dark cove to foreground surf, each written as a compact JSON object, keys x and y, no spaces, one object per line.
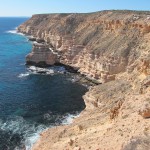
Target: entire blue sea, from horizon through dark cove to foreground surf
{"x":30,"y":102}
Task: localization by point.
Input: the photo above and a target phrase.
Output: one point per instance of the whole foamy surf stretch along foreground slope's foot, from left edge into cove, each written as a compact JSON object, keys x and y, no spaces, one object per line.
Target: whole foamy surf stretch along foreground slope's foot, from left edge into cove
{"x":24,"y":133}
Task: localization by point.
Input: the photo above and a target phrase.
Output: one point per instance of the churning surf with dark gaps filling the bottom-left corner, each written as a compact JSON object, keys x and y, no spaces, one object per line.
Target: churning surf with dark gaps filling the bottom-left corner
{"x":20,"y":130}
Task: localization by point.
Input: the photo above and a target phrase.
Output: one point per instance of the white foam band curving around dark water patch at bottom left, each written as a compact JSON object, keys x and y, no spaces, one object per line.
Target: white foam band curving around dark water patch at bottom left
{"x":17,"y":125}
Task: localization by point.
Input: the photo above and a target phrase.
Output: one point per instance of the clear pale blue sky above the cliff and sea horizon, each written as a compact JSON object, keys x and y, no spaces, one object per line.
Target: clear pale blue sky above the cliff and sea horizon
{"x":30,"y":7}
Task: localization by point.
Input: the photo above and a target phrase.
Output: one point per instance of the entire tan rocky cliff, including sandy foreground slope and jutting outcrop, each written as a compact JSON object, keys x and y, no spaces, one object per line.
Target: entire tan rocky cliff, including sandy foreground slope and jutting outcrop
{"x":112,"y":47}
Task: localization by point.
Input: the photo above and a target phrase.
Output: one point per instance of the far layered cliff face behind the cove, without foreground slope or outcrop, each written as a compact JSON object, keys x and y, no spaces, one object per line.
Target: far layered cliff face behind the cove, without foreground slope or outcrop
{"x":100,"y":44}
